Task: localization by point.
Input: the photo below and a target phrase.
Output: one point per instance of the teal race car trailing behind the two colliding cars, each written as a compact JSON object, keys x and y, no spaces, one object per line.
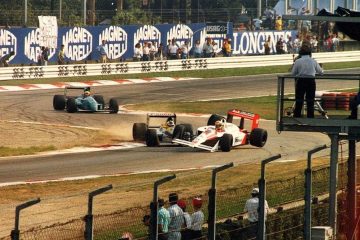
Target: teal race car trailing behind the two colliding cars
{"x":84,"y":102}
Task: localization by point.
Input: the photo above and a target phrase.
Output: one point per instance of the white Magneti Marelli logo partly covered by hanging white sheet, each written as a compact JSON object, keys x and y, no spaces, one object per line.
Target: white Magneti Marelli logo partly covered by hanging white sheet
{"x":32,"y":47}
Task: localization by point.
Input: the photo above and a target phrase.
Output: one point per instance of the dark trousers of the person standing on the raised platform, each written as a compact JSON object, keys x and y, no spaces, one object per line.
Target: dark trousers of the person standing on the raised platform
{"x":304,"y":87}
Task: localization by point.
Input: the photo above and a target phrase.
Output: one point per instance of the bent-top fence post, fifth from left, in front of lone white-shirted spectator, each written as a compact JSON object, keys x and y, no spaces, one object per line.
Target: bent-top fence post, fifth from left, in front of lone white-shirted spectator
{"x":262,"y":195}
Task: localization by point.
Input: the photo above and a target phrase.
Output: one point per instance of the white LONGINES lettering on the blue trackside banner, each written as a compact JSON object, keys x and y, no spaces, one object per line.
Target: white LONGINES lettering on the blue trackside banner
{"x":253,"y":42}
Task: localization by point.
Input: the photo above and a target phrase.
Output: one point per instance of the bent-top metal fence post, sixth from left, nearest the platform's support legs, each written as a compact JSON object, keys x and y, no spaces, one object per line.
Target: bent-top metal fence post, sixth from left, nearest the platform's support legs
{"x":308,"y":193}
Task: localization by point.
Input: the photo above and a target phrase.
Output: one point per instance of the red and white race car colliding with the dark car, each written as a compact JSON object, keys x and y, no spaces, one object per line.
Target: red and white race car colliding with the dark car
{"x":221,"y":133}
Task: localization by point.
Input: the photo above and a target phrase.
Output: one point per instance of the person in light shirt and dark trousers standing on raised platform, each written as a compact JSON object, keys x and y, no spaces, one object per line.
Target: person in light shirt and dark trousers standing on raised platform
{"x":305,"y":69}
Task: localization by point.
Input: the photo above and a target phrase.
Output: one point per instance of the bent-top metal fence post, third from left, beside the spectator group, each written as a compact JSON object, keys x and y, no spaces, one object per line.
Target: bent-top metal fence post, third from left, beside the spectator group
{"x":155,"y":206}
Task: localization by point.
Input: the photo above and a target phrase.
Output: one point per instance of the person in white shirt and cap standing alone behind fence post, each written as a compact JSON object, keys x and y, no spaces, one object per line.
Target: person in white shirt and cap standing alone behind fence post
{"x":251,"y":209}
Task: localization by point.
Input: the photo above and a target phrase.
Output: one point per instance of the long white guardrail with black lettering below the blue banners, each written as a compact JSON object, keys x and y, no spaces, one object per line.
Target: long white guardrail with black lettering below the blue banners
{"x":76,"y":70}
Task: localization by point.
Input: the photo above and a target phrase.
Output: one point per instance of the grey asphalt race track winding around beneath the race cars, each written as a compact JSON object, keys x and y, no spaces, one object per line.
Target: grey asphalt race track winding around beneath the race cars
{"x":37,"y":106}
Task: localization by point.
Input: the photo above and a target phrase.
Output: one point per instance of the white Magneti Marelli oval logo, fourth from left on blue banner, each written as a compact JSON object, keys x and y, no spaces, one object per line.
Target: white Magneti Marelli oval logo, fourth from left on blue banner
{"x":116,"y":41}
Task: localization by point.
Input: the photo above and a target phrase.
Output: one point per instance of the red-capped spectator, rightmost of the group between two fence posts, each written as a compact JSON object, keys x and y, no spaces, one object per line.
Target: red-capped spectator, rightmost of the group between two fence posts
{"x":197,"y":219}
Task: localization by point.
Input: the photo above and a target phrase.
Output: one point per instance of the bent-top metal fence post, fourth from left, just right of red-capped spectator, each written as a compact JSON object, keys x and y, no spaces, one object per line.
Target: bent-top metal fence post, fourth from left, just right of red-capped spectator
{"x":212,"y":202}
